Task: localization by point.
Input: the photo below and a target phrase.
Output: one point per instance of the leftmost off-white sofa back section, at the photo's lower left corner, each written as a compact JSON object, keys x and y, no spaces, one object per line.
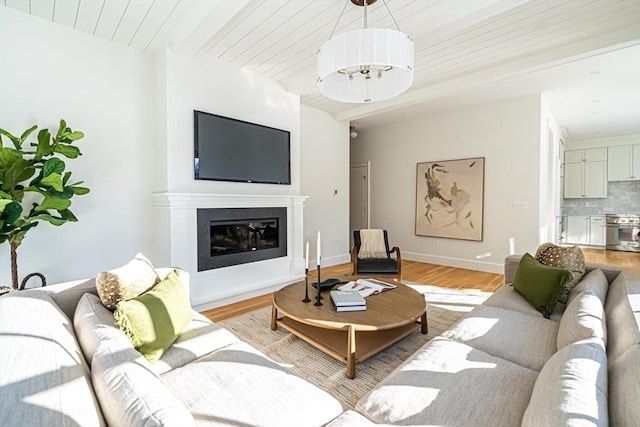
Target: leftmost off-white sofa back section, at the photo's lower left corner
{"x":44,"y":380}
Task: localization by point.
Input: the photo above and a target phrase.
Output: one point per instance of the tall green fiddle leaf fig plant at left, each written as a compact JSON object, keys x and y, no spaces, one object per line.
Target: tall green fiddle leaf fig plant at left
{"x":34,"y":185}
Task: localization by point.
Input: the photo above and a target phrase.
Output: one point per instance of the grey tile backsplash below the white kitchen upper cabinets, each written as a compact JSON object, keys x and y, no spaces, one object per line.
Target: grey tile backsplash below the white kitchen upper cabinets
{"x":622,"y":197}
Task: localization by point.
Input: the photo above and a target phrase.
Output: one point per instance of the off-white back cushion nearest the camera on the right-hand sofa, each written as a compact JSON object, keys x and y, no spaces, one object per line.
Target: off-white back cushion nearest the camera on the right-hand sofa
{"x":571,"y":389}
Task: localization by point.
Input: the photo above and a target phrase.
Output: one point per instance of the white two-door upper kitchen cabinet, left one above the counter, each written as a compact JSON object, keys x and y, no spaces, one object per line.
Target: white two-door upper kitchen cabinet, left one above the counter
{"x":585,"y":173}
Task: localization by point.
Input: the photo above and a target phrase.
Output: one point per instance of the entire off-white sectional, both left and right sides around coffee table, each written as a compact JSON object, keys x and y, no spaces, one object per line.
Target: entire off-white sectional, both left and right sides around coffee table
{"x":63,"y":363}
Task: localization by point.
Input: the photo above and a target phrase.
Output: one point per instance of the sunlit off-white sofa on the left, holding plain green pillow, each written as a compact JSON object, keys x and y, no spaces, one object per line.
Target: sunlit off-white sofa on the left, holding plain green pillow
{"x":63,"y":363}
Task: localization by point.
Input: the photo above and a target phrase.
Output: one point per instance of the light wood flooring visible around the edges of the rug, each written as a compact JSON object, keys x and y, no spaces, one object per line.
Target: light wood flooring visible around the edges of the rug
{"x":439,"y":275}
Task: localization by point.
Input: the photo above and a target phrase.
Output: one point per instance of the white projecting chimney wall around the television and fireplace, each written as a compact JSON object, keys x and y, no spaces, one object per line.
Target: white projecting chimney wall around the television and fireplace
{"x":206,"y":84}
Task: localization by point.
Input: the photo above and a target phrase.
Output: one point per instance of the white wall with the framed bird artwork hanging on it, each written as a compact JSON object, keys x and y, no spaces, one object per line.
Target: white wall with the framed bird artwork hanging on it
{"x":506,"y":133}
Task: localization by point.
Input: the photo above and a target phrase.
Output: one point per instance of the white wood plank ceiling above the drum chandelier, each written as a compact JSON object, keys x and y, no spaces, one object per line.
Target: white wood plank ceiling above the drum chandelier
{"x":454,"y":39}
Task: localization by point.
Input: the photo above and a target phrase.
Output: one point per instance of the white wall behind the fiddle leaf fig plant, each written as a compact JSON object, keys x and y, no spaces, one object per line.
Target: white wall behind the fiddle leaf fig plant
{"x":48,"y":72}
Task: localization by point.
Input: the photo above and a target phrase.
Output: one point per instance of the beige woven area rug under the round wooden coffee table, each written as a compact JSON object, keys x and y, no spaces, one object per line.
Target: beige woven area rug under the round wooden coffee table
{"x":445,"y":307}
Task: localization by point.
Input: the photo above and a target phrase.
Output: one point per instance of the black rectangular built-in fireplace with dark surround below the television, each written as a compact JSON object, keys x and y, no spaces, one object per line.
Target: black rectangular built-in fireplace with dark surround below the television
{"x":232,"y":236}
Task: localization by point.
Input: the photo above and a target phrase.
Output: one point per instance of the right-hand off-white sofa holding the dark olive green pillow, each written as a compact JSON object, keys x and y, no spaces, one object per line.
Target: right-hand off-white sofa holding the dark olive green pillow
{"x":504,"y":364}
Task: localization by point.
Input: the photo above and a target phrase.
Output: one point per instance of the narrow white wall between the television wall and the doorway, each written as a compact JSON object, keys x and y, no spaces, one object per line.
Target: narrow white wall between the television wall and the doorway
{"x":325,"y":179}
